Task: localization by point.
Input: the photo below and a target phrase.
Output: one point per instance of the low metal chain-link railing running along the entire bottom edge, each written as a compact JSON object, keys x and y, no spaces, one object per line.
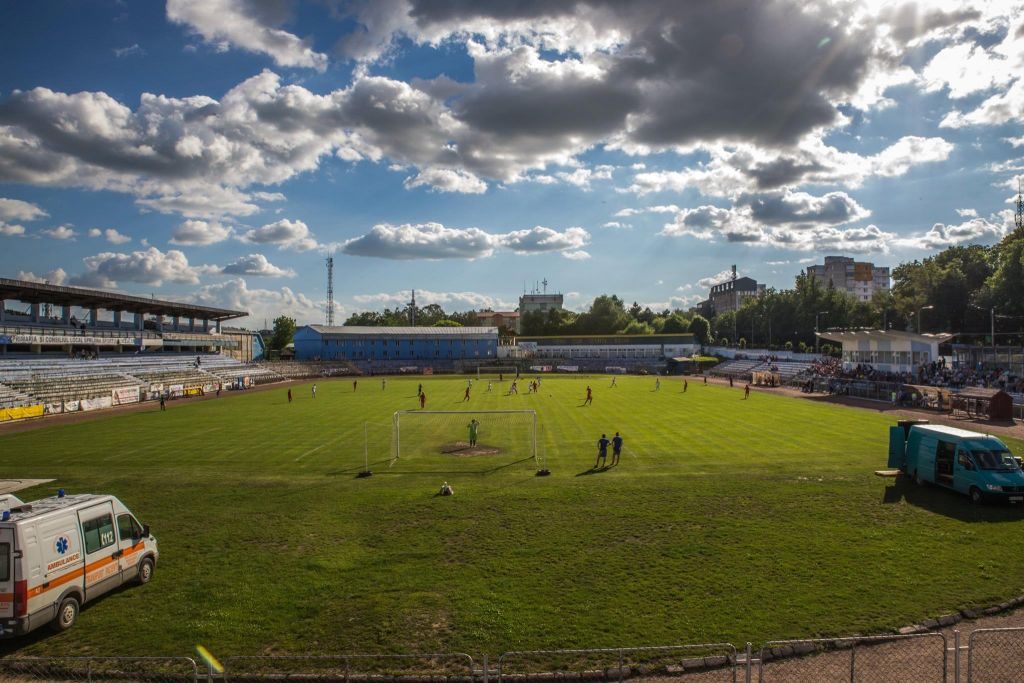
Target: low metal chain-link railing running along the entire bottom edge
{"x":993,"y":656}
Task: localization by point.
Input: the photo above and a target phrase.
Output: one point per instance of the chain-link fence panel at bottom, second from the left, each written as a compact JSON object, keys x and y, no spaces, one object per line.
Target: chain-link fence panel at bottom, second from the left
{"x":454,"y":668}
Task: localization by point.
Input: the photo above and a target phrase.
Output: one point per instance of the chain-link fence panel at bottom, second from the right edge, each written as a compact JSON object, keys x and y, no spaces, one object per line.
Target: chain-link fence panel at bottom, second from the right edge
{"x":913,"y":659}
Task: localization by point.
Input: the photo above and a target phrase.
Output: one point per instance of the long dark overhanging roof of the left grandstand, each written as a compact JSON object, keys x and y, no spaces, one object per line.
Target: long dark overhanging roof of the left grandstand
{"x":89,"y":298}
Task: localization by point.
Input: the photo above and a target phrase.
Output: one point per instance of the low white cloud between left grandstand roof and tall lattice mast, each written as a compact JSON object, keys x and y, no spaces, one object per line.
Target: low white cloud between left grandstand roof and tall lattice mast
{"x":263,"y":305}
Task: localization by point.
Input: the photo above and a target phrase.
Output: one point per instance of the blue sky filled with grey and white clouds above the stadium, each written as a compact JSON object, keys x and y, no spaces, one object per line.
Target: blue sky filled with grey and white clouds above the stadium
{"x":219,"y":151}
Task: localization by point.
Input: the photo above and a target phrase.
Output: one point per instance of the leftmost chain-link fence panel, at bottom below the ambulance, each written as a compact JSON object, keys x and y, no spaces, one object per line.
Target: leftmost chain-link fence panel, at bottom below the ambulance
{"x":153,"y":670}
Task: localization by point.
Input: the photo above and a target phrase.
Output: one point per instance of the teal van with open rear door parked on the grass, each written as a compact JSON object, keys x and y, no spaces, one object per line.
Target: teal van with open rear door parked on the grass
{"x":976,"y":465}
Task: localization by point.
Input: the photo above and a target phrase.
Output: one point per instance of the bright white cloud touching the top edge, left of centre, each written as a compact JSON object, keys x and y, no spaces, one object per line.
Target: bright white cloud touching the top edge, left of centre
{"x":252,"y":27}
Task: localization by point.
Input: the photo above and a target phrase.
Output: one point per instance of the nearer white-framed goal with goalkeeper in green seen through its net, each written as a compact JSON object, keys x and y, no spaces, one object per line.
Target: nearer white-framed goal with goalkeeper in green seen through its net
{"x":496,"y":438}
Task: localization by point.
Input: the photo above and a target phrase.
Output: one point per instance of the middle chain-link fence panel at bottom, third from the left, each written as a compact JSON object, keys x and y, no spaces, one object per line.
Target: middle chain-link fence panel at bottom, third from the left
{"x":709,"y":662}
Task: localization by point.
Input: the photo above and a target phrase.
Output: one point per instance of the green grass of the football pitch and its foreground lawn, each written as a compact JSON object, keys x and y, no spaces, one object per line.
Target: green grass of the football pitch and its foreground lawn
{"x":728,"y":521}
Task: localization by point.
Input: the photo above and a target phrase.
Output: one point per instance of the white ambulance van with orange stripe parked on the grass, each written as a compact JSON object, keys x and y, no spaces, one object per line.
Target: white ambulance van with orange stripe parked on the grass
{"x":61,"y":552}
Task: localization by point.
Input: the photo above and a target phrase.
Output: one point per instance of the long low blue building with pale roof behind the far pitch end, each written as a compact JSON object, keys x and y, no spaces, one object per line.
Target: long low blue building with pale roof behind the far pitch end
{"x":421,"y":347}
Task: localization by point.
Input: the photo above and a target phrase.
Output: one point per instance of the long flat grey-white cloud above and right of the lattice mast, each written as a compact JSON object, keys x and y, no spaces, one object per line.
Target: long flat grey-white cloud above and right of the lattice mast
{"x":435,"y":241}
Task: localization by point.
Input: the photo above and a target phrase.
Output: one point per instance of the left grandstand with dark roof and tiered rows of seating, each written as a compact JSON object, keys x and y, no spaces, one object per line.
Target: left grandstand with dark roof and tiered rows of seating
{"x":70,"y":349}
